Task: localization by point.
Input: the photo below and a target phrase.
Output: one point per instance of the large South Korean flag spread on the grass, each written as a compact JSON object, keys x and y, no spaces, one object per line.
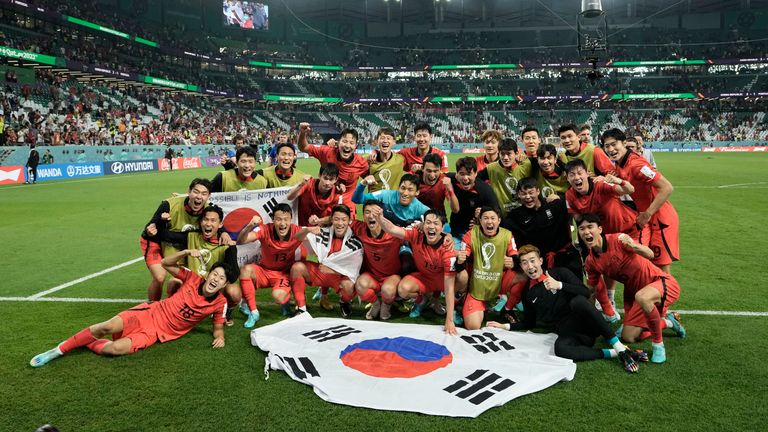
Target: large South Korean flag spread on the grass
{"x":411,"y":367}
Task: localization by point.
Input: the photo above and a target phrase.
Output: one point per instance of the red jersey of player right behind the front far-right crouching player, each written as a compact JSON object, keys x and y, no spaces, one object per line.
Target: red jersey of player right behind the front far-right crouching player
{"x":602,"y":200}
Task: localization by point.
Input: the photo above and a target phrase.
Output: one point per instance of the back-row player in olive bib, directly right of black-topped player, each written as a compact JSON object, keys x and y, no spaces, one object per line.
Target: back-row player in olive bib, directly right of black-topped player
{"x":504,"y":174}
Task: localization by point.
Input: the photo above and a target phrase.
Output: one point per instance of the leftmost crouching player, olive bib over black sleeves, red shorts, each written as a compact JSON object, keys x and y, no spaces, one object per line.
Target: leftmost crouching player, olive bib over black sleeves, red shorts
{"x":181,"y":213}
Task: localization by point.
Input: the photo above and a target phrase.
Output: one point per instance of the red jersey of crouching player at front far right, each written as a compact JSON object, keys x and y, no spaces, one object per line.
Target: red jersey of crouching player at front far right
{"x":622,"y":265}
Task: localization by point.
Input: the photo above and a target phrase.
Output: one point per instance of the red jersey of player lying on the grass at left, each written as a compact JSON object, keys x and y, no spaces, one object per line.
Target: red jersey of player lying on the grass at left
{"x":178,"y":314}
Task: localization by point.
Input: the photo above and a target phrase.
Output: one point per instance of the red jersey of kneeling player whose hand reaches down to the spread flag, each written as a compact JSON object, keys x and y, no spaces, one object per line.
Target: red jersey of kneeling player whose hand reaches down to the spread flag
{"x":432,"y":261}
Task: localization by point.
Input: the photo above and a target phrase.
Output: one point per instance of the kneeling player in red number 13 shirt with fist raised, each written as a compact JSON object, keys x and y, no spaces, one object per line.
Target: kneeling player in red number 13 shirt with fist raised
{"x":280,"y":244}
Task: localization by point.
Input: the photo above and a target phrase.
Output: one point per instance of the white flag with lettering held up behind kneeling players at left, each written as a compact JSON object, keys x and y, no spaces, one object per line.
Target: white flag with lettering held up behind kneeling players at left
{"x":240,"y":207}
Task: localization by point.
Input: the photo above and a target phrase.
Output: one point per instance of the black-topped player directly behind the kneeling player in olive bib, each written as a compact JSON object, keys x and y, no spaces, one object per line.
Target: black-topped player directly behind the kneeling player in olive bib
{"x":472,"y":194}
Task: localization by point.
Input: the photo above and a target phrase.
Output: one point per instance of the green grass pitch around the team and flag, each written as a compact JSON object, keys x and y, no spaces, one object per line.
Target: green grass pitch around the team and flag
{"x":60,"y":231}
